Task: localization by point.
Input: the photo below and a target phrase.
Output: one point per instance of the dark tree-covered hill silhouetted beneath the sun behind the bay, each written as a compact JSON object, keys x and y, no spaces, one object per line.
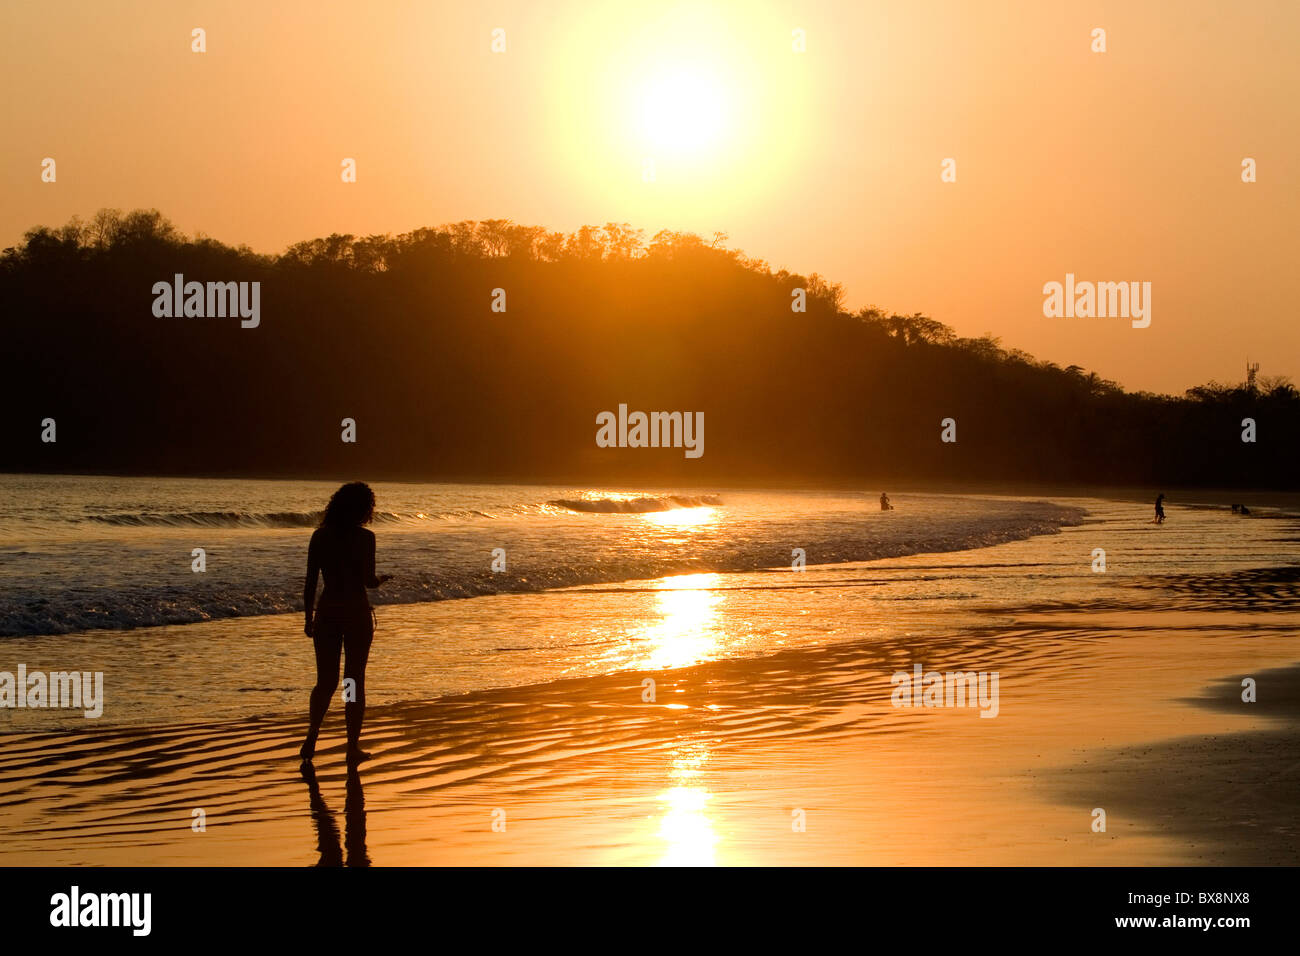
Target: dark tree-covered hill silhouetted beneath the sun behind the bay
{"x":397,"y":332}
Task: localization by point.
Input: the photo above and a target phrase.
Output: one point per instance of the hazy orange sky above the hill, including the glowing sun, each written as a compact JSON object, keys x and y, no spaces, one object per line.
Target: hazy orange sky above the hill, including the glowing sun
{"x":1124,"y":166}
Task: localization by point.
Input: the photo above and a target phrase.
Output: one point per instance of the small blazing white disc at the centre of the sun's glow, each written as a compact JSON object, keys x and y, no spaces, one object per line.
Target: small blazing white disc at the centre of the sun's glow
{"x":683,"y":111}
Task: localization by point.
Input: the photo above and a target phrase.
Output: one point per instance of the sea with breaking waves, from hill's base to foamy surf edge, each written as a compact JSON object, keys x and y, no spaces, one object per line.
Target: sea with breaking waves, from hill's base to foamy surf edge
{"x":84,"y":553}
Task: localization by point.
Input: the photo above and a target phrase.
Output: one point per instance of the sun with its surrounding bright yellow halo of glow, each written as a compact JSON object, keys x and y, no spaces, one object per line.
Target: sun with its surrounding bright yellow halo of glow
{"x":678,"y":115}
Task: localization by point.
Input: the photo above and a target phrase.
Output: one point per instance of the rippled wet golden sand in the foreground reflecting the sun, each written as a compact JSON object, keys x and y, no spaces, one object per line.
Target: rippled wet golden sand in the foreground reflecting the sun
{"x":716,"y":771}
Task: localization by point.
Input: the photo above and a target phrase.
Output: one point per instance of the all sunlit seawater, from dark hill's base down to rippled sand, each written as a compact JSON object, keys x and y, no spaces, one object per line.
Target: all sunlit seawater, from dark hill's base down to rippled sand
{"x":97,"y":576}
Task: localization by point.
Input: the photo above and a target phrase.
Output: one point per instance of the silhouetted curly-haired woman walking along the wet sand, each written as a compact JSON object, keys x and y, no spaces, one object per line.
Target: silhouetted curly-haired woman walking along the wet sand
{"x":343,"y":550}
